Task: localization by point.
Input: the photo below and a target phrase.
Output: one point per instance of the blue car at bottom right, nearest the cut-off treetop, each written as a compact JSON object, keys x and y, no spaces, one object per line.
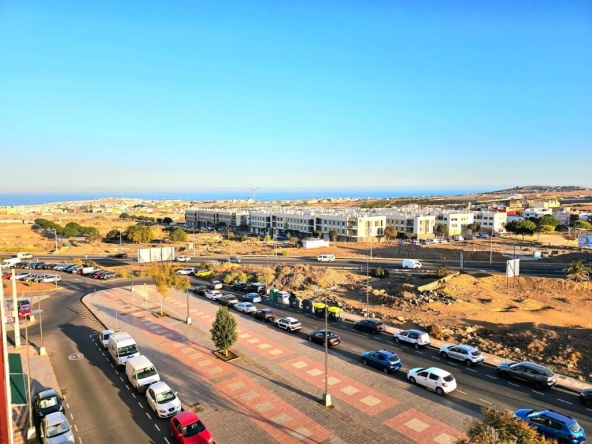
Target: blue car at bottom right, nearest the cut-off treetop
{"x":553,"y":425}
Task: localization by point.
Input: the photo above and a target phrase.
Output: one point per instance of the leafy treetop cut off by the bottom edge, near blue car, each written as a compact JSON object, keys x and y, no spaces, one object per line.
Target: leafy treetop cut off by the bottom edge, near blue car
{"x":499,"y":427}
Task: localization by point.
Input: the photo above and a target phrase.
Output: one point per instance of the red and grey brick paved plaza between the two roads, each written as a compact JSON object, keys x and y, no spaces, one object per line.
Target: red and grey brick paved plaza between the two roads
{"x":271,"y":394}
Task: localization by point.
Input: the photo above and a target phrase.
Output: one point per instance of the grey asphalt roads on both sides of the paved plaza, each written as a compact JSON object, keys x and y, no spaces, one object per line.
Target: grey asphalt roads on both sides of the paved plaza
{"x":104,"y":410}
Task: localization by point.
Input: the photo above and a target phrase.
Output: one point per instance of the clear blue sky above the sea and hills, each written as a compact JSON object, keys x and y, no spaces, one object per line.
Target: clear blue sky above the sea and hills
{"x":211,"y":95}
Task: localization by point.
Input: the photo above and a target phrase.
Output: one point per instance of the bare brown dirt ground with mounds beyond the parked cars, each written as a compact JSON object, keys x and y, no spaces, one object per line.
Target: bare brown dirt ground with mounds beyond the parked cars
{"x":541,"y":319}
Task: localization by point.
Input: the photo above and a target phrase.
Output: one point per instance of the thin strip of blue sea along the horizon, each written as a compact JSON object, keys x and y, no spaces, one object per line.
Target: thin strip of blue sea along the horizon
{"x":16,"y":199}
